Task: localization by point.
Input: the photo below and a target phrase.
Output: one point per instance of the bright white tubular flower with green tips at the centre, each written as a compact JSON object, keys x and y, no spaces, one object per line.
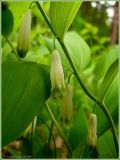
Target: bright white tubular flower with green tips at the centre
{"x":57,"y":76}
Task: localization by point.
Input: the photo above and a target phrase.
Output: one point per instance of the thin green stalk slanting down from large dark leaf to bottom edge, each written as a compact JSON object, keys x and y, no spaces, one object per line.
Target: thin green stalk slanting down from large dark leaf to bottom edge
{"x":59,"y":128}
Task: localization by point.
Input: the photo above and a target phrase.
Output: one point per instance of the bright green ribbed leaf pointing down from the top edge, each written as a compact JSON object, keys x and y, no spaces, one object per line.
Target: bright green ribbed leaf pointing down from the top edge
{"x":62,"y":14}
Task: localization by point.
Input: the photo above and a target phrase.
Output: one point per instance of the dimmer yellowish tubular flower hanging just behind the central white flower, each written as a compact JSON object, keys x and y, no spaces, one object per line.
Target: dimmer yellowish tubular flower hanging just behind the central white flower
{"x":66,"y":109}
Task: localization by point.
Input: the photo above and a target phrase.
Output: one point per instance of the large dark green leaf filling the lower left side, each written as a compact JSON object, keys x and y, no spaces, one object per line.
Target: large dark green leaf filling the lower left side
{"x":25,"y":87}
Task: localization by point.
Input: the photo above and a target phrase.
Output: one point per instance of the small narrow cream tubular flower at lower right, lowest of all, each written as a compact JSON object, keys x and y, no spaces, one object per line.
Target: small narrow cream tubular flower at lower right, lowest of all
{"x":92,"y":130}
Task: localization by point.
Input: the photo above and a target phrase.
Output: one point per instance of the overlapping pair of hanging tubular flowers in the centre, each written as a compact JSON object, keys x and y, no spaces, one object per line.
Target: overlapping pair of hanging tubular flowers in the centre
{"x":59,"y":90}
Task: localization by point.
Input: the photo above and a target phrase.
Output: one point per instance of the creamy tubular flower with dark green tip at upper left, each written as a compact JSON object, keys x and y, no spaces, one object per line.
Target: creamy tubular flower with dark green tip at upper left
{"x":24,"y":35}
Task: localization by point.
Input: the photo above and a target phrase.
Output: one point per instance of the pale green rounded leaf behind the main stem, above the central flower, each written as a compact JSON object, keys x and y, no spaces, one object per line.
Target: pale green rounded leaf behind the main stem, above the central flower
{"x":77,"y":48}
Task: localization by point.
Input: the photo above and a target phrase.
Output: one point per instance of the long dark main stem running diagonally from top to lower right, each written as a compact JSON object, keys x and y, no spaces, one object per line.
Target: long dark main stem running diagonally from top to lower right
{"x":103,"y":107}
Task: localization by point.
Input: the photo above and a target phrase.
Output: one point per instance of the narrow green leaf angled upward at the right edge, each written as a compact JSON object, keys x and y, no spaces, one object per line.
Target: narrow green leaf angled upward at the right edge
{"x":108,"y":79}
